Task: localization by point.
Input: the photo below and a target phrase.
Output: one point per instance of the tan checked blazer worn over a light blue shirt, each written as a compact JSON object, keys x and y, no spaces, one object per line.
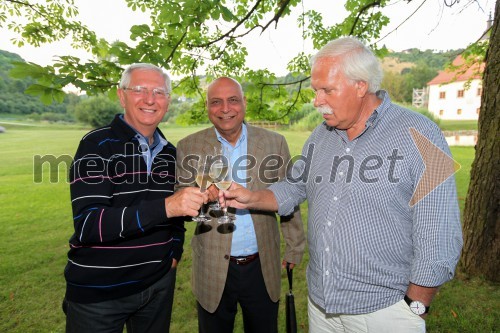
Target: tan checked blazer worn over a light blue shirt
{"x":211,"y":250}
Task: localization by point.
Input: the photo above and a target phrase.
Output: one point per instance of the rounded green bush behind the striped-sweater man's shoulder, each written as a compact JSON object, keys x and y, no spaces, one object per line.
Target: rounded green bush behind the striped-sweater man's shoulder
{"x":97,"y":111}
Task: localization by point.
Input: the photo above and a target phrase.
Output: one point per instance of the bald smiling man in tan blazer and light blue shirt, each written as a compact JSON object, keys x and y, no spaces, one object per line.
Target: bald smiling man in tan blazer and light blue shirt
{"x":242,"y":266}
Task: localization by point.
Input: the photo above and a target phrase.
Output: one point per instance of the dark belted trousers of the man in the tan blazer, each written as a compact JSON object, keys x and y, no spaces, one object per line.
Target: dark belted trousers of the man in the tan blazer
{"x":244,"y":285}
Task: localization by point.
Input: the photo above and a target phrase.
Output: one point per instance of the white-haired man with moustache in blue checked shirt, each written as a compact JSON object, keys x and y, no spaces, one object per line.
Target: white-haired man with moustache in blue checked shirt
{"x":377,"y":255}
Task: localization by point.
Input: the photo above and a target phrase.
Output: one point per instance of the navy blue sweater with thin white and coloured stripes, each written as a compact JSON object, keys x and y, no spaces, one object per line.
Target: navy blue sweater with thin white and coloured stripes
{"x":123,"y":241}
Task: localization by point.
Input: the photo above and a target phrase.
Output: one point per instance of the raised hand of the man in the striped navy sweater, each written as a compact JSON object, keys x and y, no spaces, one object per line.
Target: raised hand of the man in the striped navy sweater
{"x":185,"y":202}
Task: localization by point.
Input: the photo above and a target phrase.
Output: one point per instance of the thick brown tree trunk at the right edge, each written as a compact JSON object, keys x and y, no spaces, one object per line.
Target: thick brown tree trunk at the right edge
{"x":481,"y":253}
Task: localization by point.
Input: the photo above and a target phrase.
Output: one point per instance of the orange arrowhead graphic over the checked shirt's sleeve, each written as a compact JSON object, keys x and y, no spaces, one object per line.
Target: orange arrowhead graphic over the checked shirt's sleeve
{"x":438,"y":166}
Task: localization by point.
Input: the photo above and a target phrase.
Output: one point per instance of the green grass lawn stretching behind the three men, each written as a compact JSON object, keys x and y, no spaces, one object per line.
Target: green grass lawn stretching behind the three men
{"x":36,"y":225}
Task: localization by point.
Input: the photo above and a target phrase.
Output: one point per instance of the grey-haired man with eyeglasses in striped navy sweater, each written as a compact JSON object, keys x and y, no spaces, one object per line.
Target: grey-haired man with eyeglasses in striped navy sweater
{"x":129,"y":230}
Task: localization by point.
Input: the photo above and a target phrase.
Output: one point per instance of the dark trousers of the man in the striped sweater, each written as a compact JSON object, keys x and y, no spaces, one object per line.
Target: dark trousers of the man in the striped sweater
{"x":148,"y":311}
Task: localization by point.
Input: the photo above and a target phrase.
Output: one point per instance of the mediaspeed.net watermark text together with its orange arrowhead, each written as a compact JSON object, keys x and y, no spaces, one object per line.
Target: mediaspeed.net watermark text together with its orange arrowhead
{"x":129,"y":168}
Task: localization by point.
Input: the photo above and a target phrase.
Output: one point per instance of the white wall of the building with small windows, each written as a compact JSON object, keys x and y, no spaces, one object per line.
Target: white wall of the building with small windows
{"x":453,"y":107}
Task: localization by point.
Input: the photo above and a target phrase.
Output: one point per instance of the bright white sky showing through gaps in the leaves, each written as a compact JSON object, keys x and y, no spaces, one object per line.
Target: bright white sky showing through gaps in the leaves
{"x":434,"y":26}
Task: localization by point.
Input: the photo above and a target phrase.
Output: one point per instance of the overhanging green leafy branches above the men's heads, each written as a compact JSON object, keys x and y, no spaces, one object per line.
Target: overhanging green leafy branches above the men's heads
{"x":183,"y":37}
